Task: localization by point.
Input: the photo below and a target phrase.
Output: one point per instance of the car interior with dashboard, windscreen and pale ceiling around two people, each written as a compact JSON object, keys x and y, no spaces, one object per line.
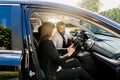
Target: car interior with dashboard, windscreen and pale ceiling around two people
{"x":101,"y":63}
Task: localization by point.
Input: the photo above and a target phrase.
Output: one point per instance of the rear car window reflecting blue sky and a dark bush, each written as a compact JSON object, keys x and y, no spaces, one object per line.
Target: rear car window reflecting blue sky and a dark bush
{"x":5,"y":27}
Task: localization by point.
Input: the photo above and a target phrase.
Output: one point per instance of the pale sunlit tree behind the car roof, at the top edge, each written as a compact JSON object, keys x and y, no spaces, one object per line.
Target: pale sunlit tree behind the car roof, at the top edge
{"x":92,"y":5}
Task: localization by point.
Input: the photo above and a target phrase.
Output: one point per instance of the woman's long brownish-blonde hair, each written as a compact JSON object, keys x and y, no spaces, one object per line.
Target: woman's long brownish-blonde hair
{"x":45,"y":31}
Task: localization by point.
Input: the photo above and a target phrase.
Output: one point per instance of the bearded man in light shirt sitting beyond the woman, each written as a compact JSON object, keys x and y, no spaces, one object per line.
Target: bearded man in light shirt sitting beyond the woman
{"x":61,"y":37}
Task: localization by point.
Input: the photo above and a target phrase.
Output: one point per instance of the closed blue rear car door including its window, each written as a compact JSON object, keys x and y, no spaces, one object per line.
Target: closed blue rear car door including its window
{"x":10,"y":40}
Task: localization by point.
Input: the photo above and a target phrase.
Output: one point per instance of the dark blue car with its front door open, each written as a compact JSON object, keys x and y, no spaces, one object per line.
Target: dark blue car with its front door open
{"x":19,"y":22}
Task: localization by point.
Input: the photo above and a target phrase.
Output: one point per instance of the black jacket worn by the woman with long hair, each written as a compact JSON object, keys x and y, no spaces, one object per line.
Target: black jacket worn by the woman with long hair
{"x":49,"y":58}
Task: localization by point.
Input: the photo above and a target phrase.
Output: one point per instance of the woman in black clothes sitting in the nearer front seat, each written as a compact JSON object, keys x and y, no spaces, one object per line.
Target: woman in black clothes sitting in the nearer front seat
{"x":50,"y":59}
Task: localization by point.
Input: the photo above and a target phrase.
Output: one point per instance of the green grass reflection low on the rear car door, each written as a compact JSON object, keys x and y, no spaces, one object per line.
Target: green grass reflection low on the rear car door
{"x":5,"y":75}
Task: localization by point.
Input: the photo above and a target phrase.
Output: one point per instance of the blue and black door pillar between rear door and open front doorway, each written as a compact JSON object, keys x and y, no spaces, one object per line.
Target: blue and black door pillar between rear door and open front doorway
{"x":30,"y":65}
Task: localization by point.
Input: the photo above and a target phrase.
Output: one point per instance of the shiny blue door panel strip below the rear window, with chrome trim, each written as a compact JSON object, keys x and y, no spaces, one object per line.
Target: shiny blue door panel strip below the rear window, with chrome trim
{"x":10,"y":58}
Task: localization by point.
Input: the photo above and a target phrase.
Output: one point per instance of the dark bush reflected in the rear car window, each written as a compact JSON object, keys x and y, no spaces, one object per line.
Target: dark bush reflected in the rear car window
{"x":5,"y":37}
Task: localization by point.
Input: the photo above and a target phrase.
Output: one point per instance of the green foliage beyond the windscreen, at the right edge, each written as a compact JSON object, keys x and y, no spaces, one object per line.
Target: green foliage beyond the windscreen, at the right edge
{"x":113,"y":14}
